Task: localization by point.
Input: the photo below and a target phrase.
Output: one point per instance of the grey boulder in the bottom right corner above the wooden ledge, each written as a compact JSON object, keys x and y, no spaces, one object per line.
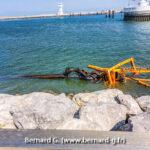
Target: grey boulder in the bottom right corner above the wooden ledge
{"x":138,"y":123}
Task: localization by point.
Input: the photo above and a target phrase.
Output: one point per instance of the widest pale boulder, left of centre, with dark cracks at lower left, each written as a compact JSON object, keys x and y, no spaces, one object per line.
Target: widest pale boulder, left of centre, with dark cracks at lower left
{"x":43,"y":111}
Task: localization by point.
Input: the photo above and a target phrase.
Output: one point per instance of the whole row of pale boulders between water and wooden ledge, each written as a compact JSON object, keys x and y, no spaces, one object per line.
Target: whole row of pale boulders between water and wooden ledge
{"x":106,"y":110}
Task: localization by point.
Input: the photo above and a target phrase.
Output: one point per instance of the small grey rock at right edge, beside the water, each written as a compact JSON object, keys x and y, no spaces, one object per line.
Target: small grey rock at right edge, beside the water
{"x":144,"y":103}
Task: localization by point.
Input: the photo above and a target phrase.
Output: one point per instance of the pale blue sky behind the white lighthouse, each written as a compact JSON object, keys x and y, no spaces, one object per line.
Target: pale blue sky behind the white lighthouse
{"x":35,"y":7}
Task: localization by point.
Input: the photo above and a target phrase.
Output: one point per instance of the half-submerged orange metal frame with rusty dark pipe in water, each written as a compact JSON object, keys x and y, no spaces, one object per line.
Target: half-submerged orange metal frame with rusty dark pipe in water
{"x":109,"y":75}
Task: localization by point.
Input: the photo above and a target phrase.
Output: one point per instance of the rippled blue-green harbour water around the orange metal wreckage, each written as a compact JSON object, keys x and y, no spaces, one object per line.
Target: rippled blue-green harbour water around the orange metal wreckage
{"x":48,"y":46}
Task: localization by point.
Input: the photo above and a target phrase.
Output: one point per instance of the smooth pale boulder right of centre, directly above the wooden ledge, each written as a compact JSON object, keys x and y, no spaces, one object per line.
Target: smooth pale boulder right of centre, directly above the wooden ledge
{"x":105,"y":116}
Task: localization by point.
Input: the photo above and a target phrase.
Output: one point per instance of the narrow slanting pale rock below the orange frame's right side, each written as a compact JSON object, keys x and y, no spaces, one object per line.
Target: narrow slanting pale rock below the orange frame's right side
{"x":130,"y":103}
